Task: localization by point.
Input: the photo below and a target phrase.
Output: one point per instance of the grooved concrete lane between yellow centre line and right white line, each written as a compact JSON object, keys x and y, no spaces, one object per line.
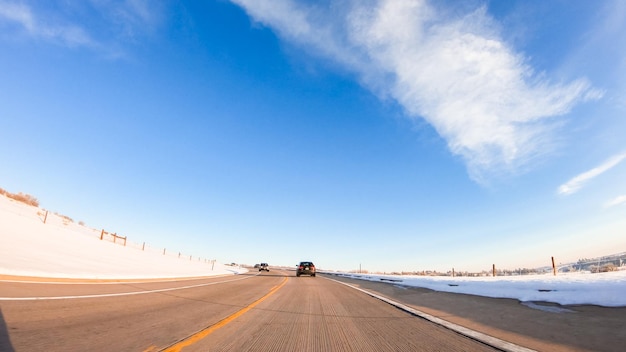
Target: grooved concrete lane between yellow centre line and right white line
{"x":317,"y":314}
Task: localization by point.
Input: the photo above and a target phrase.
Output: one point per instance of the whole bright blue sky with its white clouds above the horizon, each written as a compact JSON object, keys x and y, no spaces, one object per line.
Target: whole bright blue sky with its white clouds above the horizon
{"x":391,"y":135}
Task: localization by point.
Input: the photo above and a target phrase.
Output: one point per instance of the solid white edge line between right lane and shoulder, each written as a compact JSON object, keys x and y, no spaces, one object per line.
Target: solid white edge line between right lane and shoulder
{"x":484,"y":338}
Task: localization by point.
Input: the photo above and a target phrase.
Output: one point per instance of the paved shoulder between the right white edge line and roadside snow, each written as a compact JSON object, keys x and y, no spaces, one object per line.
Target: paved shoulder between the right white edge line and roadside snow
{"x":573,"y":328}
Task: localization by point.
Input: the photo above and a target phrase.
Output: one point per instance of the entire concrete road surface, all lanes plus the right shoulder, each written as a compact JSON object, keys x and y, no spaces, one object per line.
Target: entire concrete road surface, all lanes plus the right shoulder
{"x":276,"y":311}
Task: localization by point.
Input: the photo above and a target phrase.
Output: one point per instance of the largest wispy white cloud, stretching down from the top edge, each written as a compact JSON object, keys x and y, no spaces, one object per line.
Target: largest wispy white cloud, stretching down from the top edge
{"x":455,"y":71}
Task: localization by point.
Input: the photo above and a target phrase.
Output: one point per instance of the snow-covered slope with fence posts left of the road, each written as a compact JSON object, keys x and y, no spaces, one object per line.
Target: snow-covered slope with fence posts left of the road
{"x":63,"y":249}
